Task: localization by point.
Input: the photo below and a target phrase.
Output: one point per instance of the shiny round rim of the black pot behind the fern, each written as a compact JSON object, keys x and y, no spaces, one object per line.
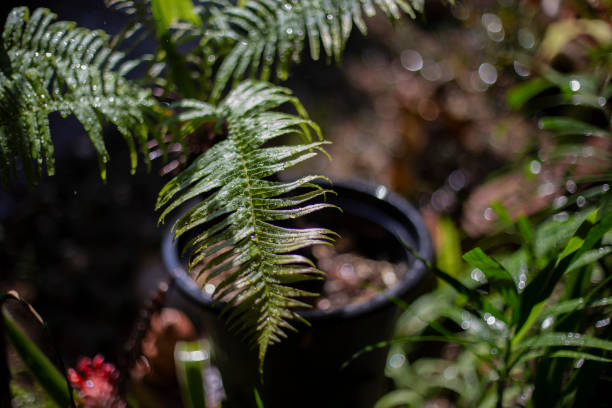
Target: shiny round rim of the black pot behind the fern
{"x":415,"y":276}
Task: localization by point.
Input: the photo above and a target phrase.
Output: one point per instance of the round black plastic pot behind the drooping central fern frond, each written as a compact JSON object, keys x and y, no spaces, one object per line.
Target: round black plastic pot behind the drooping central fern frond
{"x":304,"y":370}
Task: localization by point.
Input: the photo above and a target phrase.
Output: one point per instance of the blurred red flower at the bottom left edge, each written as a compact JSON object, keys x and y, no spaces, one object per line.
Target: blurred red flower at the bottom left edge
{"x":95,"y":383}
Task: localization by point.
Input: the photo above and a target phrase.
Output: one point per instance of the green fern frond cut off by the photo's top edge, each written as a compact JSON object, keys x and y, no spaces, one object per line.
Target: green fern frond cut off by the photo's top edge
{"x":265,"y":31}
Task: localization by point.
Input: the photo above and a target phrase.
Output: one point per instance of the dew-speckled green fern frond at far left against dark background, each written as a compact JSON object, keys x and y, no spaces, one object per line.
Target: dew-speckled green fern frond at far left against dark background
{"x":48,"y":67}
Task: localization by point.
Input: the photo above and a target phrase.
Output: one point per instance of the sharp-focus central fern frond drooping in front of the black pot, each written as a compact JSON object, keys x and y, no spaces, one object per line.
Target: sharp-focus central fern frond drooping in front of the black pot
{"x":240,"y":207}
